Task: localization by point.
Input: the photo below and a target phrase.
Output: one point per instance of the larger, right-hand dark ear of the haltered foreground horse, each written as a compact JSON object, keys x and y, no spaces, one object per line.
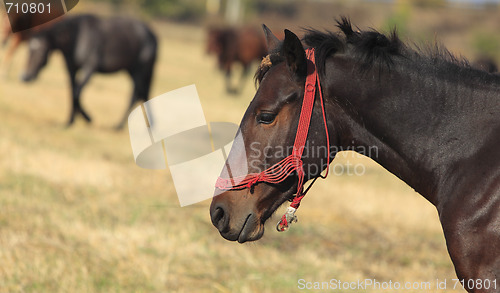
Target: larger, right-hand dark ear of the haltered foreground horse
{"x":294,"y":54}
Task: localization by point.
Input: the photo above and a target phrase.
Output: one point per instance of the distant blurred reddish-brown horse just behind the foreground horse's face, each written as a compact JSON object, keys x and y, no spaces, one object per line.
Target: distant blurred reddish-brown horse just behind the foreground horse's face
{"x":236,"y":45}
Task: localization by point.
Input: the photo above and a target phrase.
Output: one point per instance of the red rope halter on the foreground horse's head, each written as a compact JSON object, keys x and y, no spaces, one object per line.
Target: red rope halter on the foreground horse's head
{"x":281,"y":170}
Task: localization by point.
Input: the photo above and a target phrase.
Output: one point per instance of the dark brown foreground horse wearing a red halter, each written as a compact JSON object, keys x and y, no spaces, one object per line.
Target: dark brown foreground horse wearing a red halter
{"x":434,"y":120}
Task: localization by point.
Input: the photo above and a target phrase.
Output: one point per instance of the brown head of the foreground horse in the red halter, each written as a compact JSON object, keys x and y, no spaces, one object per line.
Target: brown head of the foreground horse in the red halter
{"x":265,"y":137}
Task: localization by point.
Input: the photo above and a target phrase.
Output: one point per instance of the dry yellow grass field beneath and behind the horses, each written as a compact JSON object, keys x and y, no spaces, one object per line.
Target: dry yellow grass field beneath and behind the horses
{"x":77,"y":214}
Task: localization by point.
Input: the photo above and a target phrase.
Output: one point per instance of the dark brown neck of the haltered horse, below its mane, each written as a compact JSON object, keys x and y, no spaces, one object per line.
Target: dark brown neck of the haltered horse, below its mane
{"x":420,"y":124}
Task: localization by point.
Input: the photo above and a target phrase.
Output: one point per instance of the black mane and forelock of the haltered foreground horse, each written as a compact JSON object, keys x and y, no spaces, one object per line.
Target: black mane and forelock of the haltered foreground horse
{"x":372,"y":48}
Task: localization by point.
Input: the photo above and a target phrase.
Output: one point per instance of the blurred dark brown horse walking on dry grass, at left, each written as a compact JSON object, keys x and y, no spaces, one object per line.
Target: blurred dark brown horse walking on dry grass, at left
{"x":90,"y":44}
